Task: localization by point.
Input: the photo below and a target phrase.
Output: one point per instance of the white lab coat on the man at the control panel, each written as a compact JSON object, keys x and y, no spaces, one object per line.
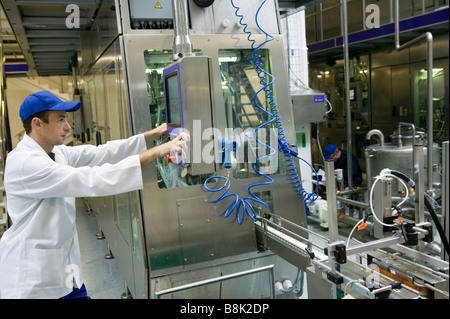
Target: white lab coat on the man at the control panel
{"x":40,"y":254}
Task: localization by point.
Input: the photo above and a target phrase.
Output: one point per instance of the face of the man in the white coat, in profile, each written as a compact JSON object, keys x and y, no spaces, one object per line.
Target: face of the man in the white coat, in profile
{"x":57,"y":128}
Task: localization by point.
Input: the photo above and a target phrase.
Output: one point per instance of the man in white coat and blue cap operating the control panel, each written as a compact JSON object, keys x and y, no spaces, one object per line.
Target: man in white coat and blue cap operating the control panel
{"x":40,"y":254}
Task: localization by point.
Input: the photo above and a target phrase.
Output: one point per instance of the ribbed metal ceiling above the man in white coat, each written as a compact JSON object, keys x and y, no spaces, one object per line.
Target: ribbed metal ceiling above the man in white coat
{"x":35,"y":32}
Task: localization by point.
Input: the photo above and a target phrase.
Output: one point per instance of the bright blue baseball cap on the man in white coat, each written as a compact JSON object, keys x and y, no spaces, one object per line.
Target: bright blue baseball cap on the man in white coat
{"x":44,"y":100}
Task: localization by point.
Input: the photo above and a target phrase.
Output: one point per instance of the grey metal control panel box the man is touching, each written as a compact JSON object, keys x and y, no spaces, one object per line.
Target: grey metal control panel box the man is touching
{"x":187,"y":88}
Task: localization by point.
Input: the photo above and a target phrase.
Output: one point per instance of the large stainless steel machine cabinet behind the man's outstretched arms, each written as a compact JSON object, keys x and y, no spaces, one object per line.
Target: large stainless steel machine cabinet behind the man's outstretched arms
{"x":172,"y":233}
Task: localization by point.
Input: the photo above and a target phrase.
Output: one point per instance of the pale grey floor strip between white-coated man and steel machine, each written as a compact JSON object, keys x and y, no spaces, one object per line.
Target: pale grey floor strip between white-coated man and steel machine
{"x":102,"y":277}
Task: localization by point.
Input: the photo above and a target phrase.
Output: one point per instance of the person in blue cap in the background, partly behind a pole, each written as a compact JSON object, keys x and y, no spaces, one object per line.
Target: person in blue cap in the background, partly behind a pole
{"x":340,"y":161}
